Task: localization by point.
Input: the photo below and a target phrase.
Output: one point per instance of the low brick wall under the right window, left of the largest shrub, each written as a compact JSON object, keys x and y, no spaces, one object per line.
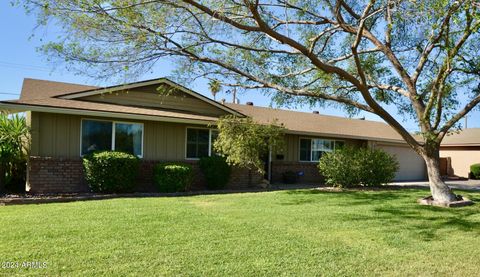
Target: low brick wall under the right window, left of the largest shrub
{"x":311,"y":174}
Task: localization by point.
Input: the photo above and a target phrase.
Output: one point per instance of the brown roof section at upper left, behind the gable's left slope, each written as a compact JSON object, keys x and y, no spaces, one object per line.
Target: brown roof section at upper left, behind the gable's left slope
{"x":41,"y":89}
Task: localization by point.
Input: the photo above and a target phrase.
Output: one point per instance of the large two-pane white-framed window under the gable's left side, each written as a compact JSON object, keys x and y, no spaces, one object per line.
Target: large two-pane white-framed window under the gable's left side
{"x":105,"y":135}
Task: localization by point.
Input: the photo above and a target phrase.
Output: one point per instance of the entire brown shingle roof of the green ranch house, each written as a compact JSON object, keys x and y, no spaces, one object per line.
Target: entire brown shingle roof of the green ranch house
{"x":45,"y":95}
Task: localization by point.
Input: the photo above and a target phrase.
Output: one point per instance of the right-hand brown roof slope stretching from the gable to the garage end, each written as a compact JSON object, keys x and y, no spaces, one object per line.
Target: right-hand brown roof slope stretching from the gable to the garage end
{"x":321,"y":125}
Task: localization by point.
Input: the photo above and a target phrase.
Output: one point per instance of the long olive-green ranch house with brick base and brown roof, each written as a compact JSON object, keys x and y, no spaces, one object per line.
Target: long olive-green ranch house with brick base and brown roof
{"x":159,"y":120}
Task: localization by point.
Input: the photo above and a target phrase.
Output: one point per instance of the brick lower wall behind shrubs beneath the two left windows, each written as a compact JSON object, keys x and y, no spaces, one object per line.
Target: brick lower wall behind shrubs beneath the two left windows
{"x":57,"y":175}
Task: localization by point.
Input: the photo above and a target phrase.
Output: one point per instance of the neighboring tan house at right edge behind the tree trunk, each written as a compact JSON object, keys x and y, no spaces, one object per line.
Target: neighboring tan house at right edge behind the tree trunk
{"x":461,"y":150}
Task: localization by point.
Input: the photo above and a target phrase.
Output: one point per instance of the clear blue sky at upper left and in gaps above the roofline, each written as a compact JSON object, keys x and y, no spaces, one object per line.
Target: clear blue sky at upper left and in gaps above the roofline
{"x":19,"y":59}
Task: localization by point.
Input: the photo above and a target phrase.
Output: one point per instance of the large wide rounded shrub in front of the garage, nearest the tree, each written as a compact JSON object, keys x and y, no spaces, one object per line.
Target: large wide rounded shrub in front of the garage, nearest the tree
{"x":351,"y":166}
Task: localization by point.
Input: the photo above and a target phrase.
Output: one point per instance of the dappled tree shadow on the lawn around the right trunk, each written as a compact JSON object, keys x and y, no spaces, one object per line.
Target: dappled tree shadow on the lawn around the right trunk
{"x":396,"y":211}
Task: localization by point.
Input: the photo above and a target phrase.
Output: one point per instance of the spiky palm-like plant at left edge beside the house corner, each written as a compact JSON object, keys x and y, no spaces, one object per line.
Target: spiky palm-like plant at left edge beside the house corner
{"x":14,"y":144}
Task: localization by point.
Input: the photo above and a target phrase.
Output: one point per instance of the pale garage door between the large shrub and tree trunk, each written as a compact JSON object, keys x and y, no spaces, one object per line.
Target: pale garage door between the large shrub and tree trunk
{"x":412,"y":166}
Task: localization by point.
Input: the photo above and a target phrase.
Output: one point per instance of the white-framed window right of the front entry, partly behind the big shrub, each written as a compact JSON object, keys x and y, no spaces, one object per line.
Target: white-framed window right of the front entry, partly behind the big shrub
{"x":312,"y":149}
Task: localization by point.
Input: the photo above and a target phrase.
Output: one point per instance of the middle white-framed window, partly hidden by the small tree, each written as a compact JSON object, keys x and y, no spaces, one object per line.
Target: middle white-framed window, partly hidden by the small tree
{"x":199,"y":142}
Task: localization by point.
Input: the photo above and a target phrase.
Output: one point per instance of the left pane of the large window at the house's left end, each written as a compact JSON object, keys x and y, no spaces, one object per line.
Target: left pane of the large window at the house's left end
{"x":96,"y":136}
